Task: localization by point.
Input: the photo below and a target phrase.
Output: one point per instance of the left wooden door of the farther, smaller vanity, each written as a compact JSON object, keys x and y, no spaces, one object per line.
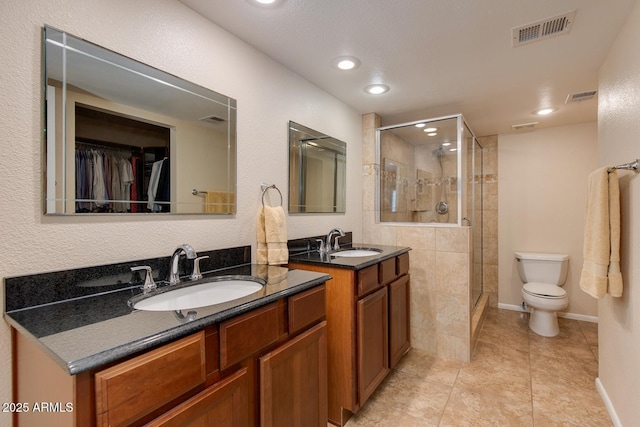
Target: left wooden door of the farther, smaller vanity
{"x":373,"y":343}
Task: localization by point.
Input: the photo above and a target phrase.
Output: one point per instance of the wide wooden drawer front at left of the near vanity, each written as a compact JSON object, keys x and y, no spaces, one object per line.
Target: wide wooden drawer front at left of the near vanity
{"x":133,"y":389}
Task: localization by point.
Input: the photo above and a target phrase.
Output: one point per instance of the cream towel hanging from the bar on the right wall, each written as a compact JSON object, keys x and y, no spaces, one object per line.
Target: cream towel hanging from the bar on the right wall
{"x":601,"y":252}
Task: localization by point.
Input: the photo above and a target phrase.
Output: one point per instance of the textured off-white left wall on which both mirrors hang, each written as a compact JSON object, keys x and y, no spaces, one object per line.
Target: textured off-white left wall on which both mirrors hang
{"x":169,"y":36}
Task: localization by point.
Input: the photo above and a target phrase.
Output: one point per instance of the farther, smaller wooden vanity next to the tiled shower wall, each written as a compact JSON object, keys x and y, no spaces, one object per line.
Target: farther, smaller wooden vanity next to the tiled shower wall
{"x":367,"y":320}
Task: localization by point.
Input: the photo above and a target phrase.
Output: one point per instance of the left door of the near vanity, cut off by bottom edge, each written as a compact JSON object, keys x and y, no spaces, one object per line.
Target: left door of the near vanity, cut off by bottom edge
{"x":224,"y":404}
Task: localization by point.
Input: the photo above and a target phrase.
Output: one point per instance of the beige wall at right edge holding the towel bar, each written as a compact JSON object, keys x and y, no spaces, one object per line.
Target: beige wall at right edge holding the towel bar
{"x":619,"y":142}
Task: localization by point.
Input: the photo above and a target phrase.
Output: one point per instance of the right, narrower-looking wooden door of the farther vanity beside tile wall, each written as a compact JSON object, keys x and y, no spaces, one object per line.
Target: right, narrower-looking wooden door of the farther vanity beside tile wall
{"x":399,"y":335}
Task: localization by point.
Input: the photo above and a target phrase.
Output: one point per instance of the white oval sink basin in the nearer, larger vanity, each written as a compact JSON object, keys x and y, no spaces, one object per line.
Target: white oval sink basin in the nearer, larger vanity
{"x":199,"y":295}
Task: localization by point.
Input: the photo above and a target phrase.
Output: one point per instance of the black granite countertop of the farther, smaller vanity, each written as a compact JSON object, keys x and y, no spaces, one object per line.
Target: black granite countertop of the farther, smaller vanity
{"x":353,"y":263}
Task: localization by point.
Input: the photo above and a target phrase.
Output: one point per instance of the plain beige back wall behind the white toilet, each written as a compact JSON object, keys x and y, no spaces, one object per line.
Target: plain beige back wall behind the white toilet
{"x":542,"y":198}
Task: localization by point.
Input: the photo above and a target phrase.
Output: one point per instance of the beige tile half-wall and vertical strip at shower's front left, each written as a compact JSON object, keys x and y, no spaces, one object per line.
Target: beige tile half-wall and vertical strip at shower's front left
{"x":440,"y":281}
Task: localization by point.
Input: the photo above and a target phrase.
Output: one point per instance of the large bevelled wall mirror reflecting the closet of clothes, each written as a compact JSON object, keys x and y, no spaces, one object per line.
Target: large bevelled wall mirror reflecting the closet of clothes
{"x":122,"y":137}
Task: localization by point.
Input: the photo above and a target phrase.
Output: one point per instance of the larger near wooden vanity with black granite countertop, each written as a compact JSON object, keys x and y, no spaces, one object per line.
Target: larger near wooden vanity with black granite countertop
{"x":243,"y":363}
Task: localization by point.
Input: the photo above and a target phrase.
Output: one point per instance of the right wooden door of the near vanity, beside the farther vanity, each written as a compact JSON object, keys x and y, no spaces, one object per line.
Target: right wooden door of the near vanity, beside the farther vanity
{"x":293,"y":382}
